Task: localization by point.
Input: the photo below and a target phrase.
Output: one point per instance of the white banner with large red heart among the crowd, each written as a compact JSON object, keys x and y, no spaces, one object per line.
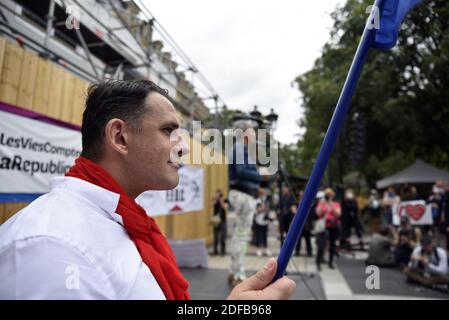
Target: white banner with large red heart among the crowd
{"x":417,"y":210}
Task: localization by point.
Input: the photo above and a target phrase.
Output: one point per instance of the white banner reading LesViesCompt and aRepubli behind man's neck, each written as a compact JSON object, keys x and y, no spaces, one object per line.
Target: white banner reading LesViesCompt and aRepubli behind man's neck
{"x":32,"y":152}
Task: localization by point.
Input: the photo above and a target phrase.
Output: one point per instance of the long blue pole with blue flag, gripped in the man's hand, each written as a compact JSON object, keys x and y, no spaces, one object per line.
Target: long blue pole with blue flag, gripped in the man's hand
{"x":395,"y":12}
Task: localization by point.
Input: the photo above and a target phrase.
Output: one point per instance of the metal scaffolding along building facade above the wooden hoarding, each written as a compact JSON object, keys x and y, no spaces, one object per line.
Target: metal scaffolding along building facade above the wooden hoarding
{"x":107,"y":39}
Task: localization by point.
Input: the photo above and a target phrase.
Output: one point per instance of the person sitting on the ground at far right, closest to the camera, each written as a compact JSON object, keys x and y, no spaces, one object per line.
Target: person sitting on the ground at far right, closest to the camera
{"x":428,"y":264}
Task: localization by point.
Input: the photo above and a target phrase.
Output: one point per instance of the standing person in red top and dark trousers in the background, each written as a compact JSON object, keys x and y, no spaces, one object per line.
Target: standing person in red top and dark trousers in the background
{"x":330,"y":211}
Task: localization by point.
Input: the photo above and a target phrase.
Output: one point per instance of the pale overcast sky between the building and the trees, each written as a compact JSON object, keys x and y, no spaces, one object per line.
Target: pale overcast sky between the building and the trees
{"x":251,"y":51}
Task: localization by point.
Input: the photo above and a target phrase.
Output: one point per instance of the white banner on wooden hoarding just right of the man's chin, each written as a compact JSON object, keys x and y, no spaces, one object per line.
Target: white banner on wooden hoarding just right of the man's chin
{"x":186,"y":197}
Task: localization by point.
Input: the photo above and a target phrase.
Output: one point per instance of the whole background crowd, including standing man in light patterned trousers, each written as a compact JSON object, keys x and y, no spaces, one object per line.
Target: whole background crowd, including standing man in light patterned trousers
{"x":333,"y":217}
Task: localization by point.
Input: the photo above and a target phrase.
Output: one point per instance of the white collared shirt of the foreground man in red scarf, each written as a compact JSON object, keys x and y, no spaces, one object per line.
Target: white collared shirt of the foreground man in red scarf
{"x":71,"y":244}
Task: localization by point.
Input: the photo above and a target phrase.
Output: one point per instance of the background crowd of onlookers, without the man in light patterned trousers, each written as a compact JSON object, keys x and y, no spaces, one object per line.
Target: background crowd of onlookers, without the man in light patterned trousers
{"x":351,"y":222}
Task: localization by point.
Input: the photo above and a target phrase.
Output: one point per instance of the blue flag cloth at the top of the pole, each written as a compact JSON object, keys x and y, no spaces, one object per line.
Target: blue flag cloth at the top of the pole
{"x":392,"y":14}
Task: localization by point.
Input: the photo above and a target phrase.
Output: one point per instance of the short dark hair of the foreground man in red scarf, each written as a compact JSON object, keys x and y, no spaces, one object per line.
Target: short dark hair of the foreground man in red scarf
{"x":119,"y":99}
